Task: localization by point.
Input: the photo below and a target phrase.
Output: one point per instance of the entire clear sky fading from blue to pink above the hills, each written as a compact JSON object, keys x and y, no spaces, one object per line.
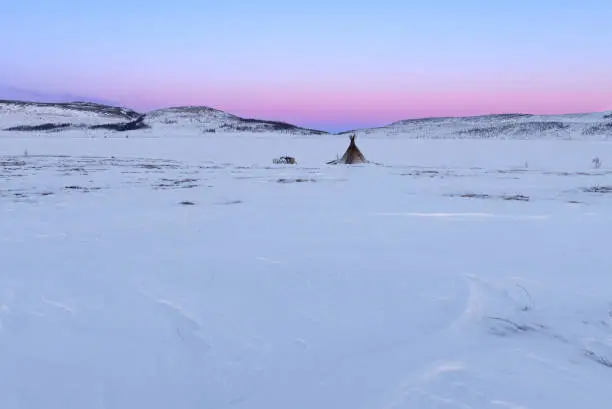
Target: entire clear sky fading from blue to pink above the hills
{"x":329,"y":64}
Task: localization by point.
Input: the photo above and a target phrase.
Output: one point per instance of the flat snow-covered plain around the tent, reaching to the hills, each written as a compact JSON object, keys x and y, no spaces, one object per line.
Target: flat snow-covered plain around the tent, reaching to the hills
{"x":448,"y":274}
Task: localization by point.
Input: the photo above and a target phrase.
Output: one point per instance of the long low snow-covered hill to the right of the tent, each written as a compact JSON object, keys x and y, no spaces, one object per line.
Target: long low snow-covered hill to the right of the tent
{"x":504,"y":126}
